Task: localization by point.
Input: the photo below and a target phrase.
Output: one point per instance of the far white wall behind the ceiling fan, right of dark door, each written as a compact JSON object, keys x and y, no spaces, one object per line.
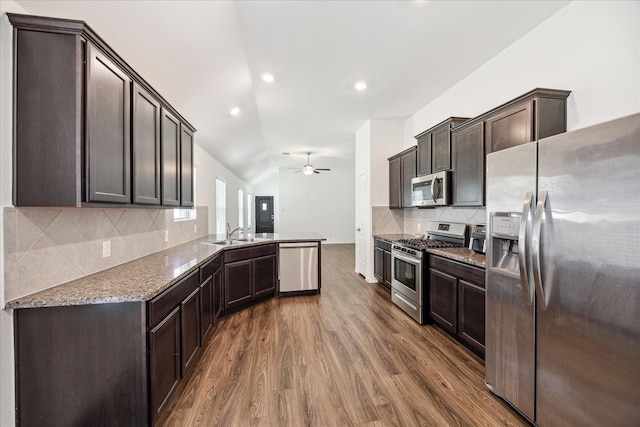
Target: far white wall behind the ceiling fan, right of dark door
{"x":321,"y":203}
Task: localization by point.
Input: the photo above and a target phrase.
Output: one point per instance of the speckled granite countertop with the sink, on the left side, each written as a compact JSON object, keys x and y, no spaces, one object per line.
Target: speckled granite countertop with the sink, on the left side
{"x":144,"y":278}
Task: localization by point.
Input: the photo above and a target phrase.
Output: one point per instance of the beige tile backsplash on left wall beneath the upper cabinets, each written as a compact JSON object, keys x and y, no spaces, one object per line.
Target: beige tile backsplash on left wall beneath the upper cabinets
{"x":45,"y":247}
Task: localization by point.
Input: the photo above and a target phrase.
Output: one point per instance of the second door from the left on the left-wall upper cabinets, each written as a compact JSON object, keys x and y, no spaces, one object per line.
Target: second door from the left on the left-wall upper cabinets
{"x":146,"y":147}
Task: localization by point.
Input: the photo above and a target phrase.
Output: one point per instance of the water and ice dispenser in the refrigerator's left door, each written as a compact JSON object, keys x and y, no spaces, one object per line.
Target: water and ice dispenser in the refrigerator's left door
{"x":505,"y":228}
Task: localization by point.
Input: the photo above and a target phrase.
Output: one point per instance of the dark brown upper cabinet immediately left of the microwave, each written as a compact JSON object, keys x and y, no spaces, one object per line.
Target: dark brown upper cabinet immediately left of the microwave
{"x":402,"y":167}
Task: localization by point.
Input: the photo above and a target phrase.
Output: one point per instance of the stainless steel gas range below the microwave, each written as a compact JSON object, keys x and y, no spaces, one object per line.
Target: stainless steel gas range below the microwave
{"x":410,"y":266}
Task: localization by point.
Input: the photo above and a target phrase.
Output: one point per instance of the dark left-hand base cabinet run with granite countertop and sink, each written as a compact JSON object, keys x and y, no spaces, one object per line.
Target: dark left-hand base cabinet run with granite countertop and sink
{"x":113,"y":347}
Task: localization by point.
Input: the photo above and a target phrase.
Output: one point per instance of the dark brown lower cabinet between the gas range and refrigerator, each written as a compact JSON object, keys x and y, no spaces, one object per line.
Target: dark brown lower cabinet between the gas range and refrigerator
{"x":457,"y":301}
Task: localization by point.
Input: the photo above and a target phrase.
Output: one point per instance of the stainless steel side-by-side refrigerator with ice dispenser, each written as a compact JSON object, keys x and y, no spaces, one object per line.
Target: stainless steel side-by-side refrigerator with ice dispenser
{"x":563,"y":276}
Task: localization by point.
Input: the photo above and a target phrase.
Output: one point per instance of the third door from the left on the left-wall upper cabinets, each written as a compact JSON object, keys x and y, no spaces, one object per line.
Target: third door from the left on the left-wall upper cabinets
{"x":170,"y":159}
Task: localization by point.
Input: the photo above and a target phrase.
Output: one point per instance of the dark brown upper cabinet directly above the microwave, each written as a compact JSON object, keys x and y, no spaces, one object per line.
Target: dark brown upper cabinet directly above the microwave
{"x":434,"y":147}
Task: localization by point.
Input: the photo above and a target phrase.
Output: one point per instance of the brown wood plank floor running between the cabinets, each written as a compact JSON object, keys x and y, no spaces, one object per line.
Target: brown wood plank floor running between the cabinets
{"x":344,"y":357}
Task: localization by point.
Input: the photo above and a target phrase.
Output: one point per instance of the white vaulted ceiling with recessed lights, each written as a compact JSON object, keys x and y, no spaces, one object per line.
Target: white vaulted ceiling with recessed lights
{"x":206,"y":57}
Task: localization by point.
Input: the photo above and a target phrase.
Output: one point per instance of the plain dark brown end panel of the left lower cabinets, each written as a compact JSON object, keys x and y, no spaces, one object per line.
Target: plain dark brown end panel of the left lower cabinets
{"x":83,"y":365}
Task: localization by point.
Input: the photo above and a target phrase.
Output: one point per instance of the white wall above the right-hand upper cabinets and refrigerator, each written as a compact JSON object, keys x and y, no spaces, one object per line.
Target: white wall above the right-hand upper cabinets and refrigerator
{"x":589,"y":47}
